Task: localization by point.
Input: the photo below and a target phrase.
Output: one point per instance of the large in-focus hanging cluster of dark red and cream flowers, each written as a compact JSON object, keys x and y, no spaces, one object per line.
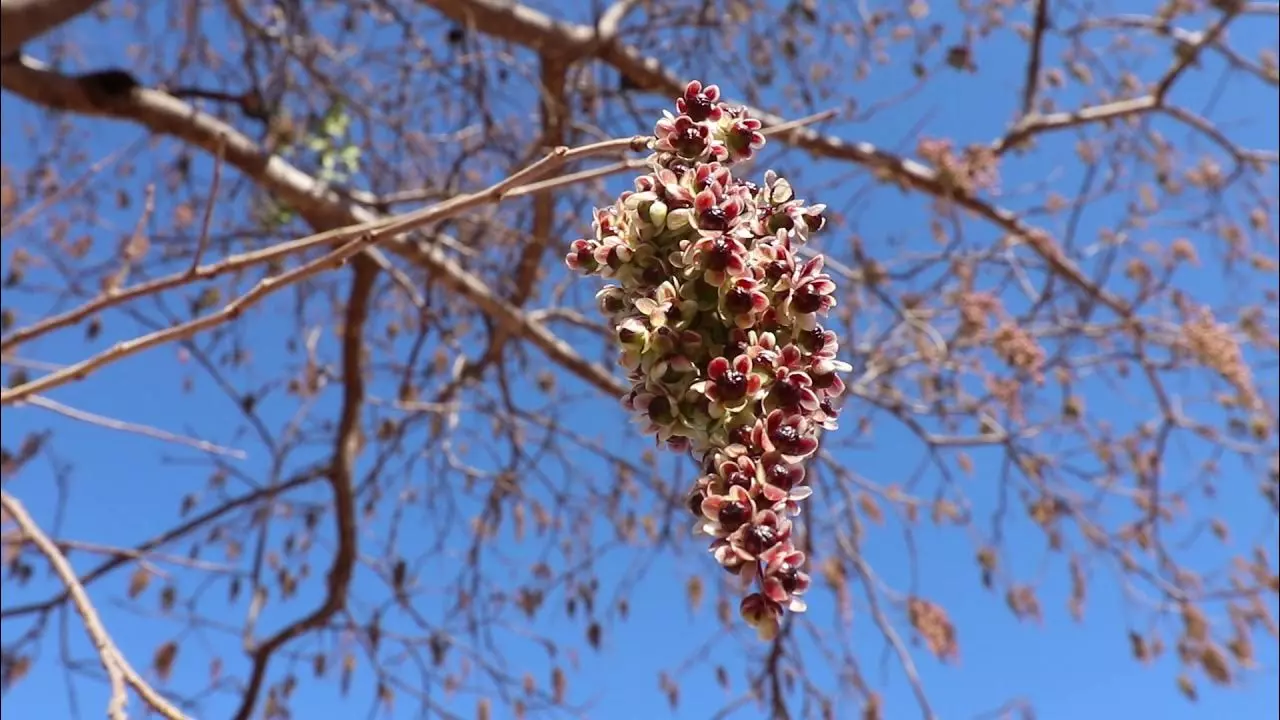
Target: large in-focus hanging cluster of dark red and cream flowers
{"x":719,"y":322}
